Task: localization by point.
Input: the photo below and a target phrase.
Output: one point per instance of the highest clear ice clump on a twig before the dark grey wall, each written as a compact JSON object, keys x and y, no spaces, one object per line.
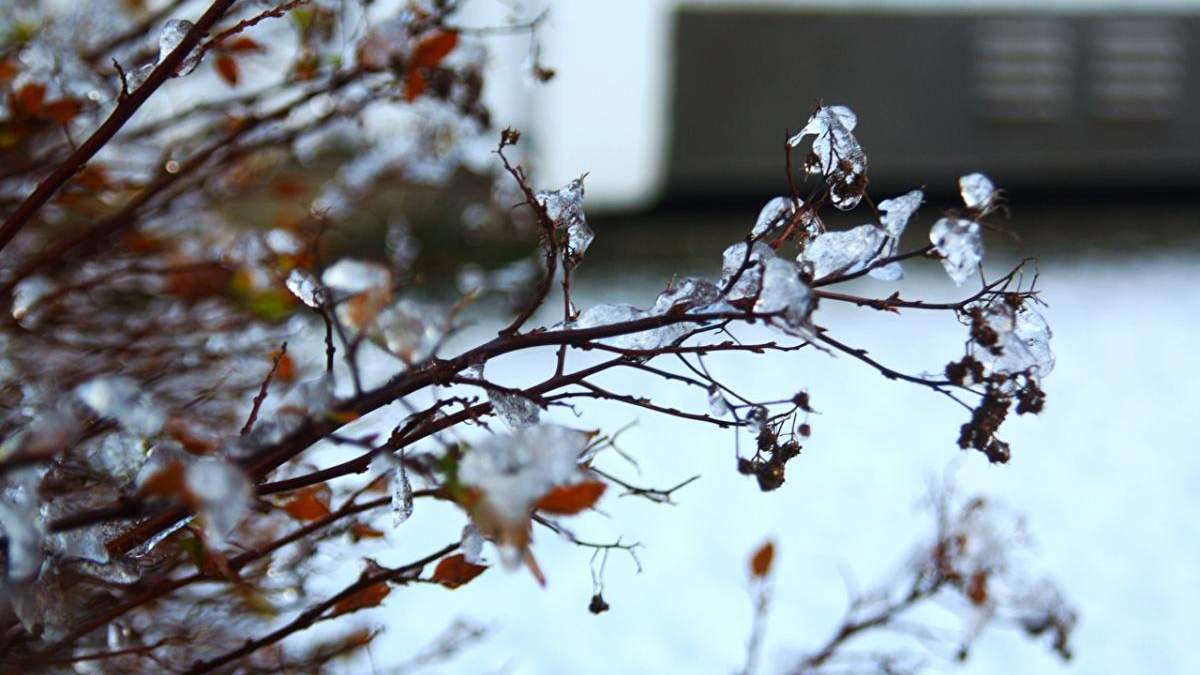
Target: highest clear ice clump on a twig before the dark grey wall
{"x":836,"y":154}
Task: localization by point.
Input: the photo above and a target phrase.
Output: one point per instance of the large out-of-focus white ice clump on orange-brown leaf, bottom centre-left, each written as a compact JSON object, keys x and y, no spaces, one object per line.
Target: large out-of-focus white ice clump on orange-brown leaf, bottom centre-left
{"x":511,"y":474}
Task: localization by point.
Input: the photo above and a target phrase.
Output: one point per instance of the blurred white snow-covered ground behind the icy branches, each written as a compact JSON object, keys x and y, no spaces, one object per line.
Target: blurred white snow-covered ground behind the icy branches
{"x":1109,"y":477}
